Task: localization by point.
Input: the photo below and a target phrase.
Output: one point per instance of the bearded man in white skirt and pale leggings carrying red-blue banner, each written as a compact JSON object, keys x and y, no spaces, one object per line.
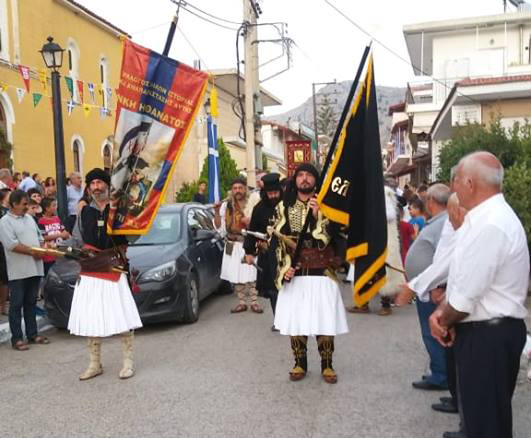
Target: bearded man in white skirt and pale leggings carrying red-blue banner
{"x":102,"y":305}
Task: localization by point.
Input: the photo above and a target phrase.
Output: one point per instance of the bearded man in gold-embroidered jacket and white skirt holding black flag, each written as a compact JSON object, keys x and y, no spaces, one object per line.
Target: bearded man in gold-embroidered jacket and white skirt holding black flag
{"x":309,"y":299}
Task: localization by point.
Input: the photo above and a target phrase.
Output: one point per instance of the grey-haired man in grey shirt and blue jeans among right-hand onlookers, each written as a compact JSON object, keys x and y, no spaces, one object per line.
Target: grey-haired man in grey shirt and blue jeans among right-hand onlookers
{"x":419,"y":257}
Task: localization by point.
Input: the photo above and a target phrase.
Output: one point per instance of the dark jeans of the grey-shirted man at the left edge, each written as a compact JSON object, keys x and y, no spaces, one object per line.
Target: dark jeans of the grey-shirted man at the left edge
{"x":23,"y":297}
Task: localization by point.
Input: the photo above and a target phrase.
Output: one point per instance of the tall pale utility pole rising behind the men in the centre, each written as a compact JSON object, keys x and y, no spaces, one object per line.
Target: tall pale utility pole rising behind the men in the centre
{"x":251,"y":86}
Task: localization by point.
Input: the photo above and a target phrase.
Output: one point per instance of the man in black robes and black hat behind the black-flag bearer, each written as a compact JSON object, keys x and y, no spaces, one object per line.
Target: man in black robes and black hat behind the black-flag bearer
{"x":262,"y":214}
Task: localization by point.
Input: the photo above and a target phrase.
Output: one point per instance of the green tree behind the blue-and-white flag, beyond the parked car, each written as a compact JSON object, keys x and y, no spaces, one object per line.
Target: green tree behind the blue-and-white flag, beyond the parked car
{"x":228,"y":171}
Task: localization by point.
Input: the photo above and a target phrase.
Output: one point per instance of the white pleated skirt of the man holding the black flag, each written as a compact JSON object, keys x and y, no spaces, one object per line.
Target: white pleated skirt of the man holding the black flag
{"x":310,"y":306}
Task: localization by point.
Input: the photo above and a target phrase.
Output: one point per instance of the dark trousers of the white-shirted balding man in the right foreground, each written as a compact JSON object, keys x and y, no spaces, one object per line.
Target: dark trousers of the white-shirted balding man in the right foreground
{"x":488,"y":360}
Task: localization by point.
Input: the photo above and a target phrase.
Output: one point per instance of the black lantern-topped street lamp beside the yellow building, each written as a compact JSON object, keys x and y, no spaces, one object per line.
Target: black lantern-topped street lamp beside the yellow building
{"x":52,"y":53}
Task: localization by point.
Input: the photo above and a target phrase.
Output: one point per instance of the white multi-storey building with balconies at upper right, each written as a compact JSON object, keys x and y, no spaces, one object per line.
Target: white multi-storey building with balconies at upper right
{"x":459,"y":55}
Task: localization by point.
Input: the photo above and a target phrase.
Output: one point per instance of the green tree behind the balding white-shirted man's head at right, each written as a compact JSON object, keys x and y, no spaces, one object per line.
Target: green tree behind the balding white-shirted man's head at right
{"x":513,"y":149}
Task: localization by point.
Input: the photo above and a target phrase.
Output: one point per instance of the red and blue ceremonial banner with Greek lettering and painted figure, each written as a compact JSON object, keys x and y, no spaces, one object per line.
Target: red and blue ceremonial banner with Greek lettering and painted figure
{"x":157,"y":101}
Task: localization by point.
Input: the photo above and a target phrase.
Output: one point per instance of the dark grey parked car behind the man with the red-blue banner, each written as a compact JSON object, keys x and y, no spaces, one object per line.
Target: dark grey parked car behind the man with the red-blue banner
{"x":174,"y":266}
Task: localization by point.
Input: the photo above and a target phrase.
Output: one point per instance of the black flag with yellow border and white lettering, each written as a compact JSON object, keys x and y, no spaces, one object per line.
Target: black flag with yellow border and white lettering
{"x":353,"y":188}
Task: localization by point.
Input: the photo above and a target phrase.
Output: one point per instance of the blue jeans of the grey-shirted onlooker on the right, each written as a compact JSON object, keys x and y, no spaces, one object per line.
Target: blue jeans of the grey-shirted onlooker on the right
{"x":435,"y":350}
